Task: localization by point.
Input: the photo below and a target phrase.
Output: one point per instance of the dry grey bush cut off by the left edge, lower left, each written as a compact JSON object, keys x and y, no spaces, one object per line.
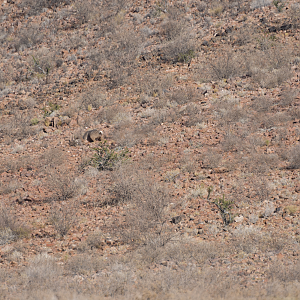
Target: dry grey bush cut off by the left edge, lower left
{"x":10,"y":228}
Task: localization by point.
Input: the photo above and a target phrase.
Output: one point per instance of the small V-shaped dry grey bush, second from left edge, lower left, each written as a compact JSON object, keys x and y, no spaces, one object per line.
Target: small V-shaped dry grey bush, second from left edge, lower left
{"x":63,"y":216}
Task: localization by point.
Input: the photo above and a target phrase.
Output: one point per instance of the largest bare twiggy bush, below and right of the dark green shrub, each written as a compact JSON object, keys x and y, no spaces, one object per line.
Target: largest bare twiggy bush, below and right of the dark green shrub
{"x":146,"y":217}
